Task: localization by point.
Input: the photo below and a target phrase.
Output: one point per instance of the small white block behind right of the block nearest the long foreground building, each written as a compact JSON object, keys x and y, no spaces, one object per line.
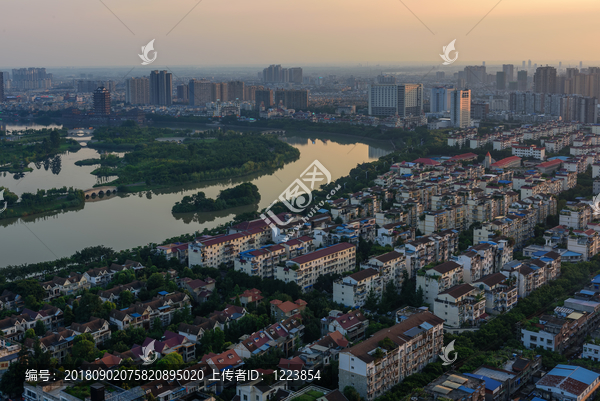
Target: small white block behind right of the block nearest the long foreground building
{"x":500,"y":292}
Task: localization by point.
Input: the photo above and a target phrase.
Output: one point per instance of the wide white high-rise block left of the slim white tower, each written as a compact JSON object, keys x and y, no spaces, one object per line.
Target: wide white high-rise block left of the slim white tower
{"x":402,"y":100}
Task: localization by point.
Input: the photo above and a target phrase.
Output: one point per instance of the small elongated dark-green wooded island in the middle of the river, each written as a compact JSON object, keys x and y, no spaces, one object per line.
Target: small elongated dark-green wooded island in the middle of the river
{"x":241,"y":195}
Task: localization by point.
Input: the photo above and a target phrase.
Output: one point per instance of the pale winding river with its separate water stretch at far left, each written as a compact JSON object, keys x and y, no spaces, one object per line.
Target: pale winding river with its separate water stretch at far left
{"x":127,"y":221}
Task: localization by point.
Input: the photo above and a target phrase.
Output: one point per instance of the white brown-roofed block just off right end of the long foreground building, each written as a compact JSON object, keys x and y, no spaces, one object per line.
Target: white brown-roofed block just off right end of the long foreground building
{"x":460,"y":306}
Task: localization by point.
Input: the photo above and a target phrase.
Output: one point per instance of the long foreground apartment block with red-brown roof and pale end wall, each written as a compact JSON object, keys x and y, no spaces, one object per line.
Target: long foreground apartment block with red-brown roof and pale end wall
{"x":375,"y":365}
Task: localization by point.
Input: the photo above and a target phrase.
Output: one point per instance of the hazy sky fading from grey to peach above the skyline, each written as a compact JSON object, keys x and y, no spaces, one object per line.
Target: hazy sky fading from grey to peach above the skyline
{"x":51,"y":33}
